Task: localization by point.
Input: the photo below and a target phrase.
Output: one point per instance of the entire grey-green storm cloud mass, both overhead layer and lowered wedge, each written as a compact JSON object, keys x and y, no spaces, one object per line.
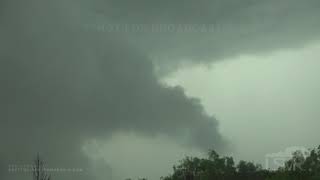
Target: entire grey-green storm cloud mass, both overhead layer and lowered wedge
{"x":65,"y":81}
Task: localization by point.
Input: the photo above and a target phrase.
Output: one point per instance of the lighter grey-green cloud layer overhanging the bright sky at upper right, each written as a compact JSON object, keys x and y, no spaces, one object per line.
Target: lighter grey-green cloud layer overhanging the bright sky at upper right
{"x":173,"y":32}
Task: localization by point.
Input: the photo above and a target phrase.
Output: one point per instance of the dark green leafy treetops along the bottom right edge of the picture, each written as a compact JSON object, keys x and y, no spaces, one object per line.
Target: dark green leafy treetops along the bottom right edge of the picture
{"x":299,"y":167}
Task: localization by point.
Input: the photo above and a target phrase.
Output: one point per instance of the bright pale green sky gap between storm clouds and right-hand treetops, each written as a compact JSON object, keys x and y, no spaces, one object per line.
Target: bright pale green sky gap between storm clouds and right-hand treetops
{"x":265,"y":104}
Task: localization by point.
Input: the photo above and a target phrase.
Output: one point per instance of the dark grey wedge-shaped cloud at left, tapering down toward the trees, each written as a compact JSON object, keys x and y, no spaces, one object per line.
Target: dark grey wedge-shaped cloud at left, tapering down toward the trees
{"x":63,"y":85}
